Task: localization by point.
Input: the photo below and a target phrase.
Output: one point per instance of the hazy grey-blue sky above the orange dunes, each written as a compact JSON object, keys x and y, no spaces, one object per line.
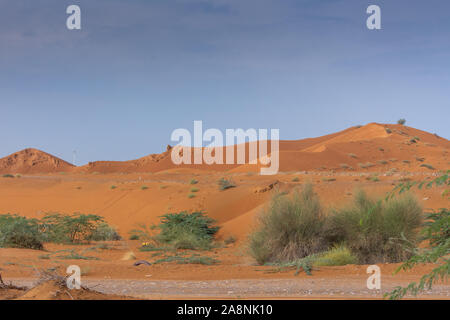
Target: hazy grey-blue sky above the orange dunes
{"x":139,"y":69}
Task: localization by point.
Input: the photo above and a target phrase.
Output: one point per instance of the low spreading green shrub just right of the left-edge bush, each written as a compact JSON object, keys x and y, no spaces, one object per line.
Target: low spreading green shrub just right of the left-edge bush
{"x":73,"y":228}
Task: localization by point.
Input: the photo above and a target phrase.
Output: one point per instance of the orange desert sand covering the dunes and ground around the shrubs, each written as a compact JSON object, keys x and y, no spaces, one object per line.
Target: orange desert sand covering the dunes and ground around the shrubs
{"x":337,"y":165}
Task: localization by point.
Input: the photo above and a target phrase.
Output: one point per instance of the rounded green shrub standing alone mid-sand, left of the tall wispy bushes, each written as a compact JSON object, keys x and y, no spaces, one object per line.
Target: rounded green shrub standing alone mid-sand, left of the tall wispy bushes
{"x":187,"y":230}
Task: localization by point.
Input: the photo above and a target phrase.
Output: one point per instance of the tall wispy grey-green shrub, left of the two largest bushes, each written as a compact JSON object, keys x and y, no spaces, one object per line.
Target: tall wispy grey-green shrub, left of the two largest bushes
{"x":289,"y":229}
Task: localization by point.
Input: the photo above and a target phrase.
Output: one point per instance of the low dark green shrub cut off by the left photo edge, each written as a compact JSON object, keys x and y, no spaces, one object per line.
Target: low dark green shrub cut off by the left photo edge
{"x":19,"y":232}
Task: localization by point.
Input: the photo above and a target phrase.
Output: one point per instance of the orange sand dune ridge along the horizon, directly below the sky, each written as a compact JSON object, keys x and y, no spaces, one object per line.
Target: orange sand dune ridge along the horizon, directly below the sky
{"x":392,"y":146}
